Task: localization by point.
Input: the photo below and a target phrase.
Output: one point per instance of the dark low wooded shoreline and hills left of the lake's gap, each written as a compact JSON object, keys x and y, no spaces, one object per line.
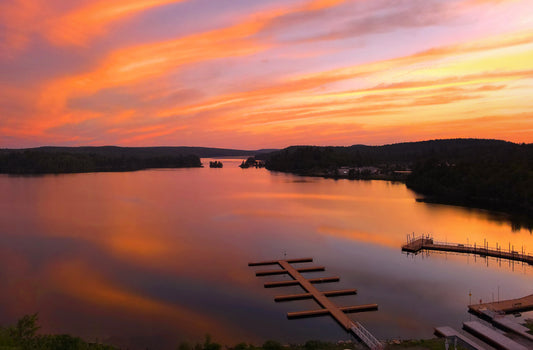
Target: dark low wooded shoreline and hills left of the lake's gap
{"x":55,"y":160}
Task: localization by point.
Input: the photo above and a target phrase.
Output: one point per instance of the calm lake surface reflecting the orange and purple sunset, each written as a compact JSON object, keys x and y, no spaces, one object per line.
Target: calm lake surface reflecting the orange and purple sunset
{"x":149,"y":258}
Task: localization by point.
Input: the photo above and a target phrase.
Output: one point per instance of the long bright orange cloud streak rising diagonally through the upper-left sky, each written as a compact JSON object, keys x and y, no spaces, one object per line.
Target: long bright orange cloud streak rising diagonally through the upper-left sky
{"x":145,"y":62}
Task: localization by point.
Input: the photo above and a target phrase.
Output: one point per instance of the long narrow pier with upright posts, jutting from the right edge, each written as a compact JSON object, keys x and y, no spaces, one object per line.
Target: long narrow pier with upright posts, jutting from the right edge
{"x":416,"y":244}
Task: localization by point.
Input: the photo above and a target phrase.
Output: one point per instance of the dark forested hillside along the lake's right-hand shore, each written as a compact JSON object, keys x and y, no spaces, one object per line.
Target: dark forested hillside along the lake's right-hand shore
{"x":488,"y":174}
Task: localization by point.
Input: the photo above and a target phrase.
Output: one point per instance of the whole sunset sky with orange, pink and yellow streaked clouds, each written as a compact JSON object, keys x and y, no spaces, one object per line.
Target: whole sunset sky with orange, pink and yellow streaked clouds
{"x":263,"y":73}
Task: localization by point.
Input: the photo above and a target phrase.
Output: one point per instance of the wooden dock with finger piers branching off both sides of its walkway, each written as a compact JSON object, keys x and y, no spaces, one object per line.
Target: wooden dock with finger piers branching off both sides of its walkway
{"x":322,"y":298}
